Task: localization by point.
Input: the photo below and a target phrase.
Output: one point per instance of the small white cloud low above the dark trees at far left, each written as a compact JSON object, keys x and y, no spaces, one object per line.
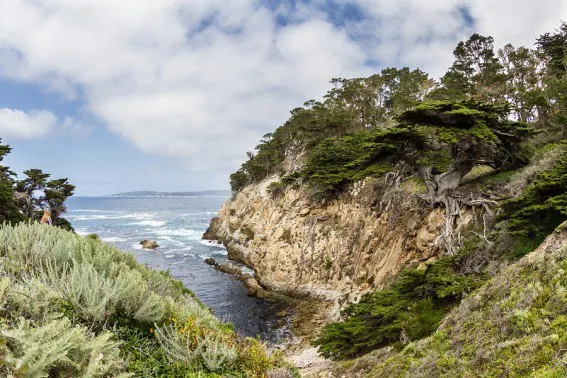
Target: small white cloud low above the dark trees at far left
{"x":18,"y":124}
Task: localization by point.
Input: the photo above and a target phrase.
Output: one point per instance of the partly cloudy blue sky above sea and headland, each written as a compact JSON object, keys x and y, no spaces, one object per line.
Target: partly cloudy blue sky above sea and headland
{"x":169,"y":95}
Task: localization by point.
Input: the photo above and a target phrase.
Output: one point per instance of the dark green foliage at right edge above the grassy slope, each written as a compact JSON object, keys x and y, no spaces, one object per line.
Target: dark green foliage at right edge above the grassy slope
{"x":543,"y":204}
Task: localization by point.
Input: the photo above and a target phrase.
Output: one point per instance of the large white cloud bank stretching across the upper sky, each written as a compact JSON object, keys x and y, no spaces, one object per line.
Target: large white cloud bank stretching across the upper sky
{"x":204,"y":79}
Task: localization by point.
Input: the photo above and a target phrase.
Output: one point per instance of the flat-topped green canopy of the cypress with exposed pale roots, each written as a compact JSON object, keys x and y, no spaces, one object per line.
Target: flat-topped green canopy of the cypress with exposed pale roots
{"x":458,"y":135}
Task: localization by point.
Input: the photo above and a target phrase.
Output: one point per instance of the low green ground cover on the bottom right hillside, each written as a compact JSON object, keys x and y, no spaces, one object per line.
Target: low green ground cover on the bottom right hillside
{"x":515,"y":325}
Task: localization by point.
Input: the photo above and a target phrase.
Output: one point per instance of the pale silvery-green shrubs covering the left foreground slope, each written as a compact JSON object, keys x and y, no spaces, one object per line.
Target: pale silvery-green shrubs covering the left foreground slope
{"x":75,"y":307}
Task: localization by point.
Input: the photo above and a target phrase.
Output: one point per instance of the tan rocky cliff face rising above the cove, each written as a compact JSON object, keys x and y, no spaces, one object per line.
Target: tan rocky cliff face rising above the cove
{"x":338,"y":250}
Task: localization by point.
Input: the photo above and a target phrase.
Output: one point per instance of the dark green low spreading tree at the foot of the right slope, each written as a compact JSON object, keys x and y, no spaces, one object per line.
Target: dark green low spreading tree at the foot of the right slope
{"x":411,"y":308}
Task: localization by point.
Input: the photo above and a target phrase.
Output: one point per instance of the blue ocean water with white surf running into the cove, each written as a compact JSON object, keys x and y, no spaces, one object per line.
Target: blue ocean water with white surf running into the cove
{"x":177,"y":224}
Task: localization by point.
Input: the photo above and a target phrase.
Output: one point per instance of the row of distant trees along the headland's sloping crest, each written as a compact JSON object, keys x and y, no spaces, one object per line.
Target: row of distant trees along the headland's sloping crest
{"x":351,"y":105}
